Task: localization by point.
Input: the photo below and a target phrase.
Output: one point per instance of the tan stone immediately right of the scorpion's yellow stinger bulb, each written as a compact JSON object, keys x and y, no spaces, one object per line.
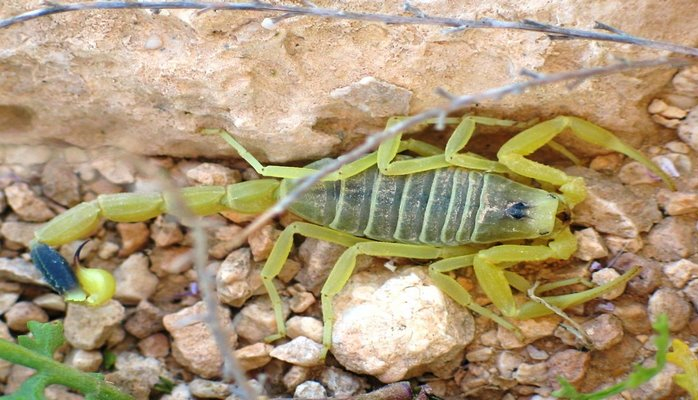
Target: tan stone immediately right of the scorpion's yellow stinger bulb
{"x":134,"y":281}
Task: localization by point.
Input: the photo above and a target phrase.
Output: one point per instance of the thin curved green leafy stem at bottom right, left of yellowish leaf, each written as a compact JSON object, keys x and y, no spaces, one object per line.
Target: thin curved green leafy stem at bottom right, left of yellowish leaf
{"x":639,"y":376}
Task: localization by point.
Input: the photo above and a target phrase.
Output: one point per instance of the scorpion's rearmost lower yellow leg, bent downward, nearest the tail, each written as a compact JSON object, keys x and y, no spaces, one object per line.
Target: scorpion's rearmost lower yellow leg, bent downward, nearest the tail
{"x":279,"y":255}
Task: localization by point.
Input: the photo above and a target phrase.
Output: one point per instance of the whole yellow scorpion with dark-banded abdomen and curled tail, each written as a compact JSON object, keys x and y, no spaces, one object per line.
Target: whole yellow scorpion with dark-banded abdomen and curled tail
{"x":454,"y":208}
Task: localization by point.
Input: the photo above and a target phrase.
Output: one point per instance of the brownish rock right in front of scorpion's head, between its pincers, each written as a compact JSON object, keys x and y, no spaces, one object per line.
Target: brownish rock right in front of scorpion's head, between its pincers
{"x":612,"y":208}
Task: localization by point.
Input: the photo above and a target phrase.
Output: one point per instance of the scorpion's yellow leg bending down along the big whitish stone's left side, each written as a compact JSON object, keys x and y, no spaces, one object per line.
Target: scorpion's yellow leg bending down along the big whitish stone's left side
{"x":343,"y":268}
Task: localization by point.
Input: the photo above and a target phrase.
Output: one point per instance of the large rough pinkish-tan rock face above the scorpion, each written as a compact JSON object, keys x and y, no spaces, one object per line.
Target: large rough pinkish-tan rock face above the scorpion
{"x":294,"y":91}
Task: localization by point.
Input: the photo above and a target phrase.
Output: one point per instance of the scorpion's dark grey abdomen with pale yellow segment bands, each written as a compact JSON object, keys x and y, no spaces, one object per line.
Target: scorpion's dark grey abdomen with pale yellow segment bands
{"x":436,"y":207}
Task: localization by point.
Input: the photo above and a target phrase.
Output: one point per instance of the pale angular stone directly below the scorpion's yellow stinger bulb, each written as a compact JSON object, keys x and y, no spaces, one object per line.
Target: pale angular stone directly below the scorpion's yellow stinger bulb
{"x":88,"y":328}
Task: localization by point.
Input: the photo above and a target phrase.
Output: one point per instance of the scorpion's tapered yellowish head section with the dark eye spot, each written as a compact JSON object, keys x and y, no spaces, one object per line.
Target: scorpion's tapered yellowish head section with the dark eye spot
{"x":512,"y":211}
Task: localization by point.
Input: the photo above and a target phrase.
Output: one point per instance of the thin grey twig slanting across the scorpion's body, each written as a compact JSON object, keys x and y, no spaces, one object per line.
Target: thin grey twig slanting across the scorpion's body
{"x":456,"y":103}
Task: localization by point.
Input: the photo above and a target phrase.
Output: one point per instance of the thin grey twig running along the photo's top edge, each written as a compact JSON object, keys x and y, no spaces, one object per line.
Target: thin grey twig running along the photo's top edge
{"x":457,"y":24}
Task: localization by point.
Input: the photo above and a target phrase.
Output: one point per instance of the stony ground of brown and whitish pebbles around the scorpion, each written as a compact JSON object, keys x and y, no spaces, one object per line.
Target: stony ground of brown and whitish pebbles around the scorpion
{"x":392,"y":323}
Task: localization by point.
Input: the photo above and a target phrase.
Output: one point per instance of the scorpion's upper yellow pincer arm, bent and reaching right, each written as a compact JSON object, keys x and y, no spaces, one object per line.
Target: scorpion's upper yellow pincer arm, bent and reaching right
{"x":513,"y":152}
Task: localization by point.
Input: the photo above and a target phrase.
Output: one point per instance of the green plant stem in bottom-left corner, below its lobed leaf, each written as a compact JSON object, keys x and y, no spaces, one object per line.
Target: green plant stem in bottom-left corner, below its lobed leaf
{"x":57,"y":373}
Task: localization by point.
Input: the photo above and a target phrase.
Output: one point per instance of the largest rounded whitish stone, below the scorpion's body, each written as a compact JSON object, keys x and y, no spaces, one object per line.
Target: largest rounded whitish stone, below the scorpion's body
{"x":394,"y":326}
